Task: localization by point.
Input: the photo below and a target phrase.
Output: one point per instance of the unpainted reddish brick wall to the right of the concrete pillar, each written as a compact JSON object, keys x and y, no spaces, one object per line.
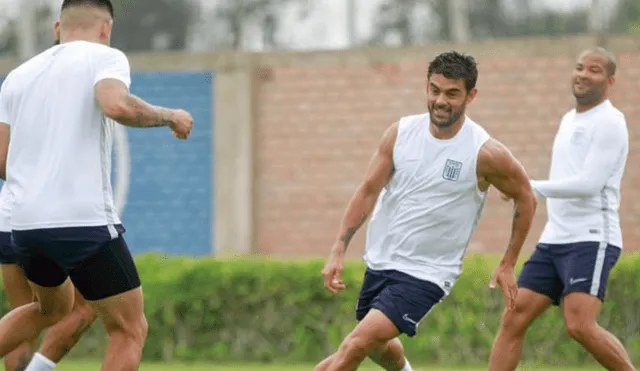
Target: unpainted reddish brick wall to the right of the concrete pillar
{"x":317,"y":126}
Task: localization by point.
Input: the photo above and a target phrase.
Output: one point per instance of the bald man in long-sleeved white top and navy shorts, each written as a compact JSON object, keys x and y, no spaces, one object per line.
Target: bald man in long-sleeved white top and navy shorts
{"x":582,"y":240}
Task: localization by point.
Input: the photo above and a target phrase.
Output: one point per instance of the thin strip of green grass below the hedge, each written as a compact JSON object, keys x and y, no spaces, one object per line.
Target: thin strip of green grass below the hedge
{"x":91,"y":366}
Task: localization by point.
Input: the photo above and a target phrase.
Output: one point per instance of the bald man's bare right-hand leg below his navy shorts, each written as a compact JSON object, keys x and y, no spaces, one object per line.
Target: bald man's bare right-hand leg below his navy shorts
{"x":580,"y":314}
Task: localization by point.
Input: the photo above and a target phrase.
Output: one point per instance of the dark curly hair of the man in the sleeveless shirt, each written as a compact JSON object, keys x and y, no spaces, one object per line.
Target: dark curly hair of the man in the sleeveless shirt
{"x":455,"y":66}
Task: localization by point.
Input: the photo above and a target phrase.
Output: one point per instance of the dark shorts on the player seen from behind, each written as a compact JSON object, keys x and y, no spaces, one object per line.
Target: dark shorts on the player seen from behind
{"x":99,"y":265}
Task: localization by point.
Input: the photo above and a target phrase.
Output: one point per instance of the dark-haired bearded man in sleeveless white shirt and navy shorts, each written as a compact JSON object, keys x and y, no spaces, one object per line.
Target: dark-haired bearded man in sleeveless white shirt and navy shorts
{"x":424,"y":191}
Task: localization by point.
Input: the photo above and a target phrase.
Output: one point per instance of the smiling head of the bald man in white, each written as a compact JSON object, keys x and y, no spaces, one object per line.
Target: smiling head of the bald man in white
{"x":592,"y":78}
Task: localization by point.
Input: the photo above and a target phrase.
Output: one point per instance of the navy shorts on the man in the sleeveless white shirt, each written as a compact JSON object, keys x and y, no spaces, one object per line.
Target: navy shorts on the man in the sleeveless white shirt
{"x":405,"y":300}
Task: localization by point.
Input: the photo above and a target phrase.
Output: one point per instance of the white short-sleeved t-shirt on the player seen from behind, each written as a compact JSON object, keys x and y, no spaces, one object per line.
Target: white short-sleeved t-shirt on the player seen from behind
{"x":59,"y":160}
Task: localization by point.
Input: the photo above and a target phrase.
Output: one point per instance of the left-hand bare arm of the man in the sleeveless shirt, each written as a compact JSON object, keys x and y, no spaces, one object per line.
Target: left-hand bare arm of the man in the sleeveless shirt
{"x":360,"y":206}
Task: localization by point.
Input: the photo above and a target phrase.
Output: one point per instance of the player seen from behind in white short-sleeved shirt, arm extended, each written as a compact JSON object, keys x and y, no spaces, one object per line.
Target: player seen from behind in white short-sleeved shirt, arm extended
{"x":64,"y":223}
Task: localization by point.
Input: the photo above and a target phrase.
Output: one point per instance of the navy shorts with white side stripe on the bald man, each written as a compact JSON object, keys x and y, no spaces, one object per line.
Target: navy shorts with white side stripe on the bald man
{"x":560,"y":269}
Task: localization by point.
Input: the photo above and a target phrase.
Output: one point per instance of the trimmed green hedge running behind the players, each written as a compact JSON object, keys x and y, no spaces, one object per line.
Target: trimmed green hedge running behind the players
{"x":263,"y":310}
